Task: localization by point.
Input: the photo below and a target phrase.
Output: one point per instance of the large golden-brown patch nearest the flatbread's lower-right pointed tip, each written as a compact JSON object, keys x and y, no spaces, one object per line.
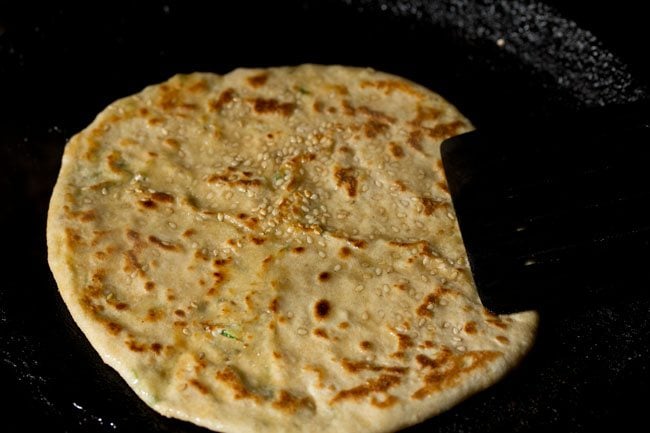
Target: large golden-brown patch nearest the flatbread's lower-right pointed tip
{"x":447,"y":369}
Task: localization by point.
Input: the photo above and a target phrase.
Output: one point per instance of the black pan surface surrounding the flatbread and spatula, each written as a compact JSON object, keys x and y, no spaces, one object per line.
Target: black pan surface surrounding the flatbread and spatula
{"x":61,"y":65}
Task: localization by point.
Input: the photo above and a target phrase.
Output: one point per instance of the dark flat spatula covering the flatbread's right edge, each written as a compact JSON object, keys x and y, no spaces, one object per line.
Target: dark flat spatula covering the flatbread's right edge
{"x":555,"y":213}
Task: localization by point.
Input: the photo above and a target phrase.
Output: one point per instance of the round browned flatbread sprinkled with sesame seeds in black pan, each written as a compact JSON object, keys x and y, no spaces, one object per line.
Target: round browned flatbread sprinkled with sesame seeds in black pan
{"x":274,"y":250}
